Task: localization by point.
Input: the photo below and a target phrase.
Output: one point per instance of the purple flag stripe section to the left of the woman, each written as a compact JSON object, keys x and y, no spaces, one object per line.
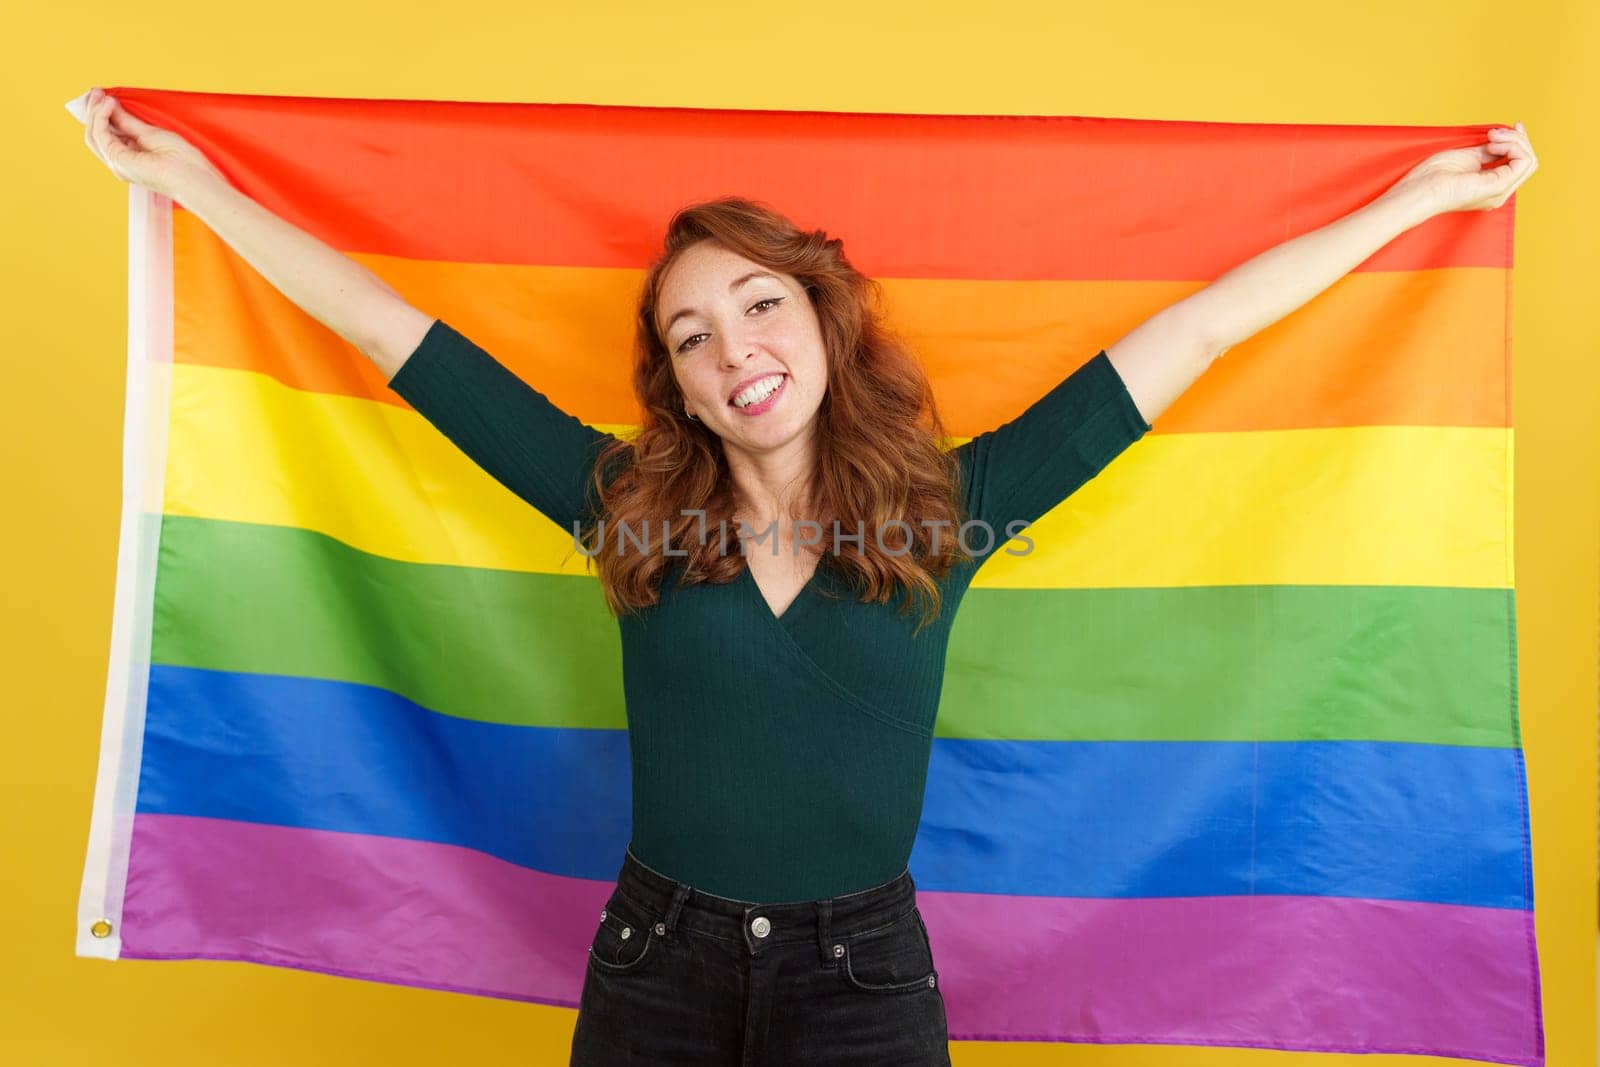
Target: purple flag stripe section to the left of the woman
{"x":377,"y":908}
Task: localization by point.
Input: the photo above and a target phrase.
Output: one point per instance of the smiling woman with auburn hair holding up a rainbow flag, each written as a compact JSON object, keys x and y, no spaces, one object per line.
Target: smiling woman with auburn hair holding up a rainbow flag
{"x":790,"y":482}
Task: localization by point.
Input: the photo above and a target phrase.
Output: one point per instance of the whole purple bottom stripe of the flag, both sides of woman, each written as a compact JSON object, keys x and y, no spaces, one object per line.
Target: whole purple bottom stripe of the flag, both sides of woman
{"x":1273,"y":972}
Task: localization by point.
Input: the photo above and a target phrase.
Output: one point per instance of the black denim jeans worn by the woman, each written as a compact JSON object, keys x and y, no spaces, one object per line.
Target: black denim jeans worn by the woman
{"x":681,"y":977}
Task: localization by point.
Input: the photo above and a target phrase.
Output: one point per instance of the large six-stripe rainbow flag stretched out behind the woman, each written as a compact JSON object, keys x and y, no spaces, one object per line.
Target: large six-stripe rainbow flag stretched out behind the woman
{"x":1230,"y":759}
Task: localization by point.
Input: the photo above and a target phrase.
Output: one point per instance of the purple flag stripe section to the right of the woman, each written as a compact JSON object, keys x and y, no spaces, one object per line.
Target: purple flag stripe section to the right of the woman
{"x":1270,"y":972}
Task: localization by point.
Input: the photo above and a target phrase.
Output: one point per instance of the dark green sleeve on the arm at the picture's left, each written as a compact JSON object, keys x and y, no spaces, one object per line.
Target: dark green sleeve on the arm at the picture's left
{"x":503,"y":425}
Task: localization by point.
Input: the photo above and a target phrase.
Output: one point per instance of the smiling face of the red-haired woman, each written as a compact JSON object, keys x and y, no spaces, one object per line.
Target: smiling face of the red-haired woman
{"x":730,"y":337}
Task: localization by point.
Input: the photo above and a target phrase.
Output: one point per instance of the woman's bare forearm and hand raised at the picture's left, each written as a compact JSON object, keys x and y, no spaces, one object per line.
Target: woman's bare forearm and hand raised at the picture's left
{"x":329,"y":286}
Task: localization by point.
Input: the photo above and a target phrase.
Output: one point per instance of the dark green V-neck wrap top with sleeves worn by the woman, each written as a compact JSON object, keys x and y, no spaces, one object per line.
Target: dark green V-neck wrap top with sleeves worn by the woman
{"x":775,"y":757}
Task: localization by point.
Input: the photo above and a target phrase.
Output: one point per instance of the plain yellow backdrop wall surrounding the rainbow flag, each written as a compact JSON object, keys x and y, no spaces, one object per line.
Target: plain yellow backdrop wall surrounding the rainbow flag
{"x":1439,"y":63}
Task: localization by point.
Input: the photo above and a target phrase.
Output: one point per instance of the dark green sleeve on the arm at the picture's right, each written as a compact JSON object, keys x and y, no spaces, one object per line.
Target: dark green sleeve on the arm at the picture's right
{"x":1025,"y":468}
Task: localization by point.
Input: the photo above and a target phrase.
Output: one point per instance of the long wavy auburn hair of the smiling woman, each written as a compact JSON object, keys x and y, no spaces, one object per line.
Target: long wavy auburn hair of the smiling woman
{"x":882,"y":447}
